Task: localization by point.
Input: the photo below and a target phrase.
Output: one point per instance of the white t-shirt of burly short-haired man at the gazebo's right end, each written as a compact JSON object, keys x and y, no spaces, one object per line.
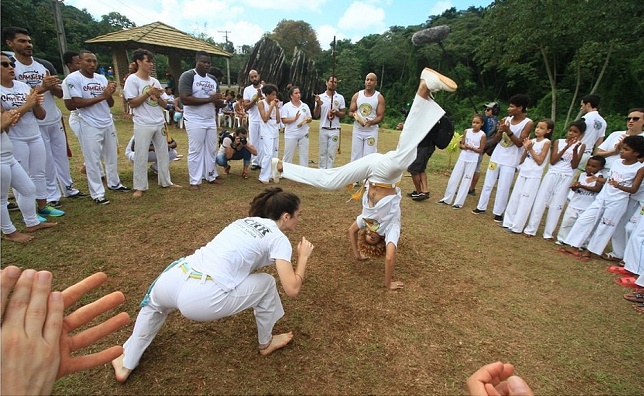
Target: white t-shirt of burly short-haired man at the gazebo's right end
{"x":202,"y":87}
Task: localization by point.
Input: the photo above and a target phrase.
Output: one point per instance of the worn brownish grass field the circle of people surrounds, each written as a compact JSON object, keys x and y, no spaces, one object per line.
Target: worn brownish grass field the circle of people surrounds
{"x":473,"y":294}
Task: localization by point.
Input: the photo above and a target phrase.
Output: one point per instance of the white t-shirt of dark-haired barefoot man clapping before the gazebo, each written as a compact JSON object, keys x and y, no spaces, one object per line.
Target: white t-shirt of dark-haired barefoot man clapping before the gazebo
{"x":149,"y":113}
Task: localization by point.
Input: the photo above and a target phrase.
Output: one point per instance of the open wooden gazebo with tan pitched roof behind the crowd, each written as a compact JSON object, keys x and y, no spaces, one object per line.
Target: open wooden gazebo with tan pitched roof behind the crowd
{"x":160,"y":39}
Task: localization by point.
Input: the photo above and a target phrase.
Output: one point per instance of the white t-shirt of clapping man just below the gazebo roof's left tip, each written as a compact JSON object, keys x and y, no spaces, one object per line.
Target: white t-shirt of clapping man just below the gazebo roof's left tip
{"x":97,"y":115}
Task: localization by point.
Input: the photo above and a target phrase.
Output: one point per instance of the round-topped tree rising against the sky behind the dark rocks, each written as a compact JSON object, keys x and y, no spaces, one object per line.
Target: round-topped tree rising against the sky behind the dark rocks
{"x":291,"y":34}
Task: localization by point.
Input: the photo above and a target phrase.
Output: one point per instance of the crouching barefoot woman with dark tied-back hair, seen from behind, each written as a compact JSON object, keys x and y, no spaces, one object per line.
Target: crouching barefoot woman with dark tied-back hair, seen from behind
{"x":218,"y":280}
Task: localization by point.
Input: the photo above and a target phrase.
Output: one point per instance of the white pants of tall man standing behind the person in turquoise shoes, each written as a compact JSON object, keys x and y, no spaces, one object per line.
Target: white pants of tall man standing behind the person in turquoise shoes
{"x":57,"y":168}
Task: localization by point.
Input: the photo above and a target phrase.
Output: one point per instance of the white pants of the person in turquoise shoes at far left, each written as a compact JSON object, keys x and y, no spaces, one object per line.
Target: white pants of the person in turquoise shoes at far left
{"x":31,"y":155}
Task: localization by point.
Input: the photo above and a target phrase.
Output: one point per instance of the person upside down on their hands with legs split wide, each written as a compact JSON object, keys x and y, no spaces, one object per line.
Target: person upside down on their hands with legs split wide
{"x":381,"y":201}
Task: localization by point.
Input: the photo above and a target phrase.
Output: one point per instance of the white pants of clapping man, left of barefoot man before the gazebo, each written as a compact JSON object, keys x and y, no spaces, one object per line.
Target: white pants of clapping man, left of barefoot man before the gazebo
{"x":99,"y":142}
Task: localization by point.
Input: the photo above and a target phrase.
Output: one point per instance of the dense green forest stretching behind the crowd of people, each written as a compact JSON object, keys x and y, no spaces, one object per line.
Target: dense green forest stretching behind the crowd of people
{"x":554,"y":50}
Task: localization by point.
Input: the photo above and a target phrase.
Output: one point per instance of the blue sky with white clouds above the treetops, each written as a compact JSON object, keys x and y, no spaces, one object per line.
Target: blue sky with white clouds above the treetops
{"x":245,"y":21}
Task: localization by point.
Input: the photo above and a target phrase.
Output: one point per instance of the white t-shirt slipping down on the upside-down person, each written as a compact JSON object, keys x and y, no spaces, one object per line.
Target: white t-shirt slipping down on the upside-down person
{"x":384,"y":217}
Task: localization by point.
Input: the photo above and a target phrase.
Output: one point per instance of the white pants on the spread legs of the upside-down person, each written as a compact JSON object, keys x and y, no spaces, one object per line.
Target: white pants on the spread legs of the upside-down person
{"x":379,"y":168}
